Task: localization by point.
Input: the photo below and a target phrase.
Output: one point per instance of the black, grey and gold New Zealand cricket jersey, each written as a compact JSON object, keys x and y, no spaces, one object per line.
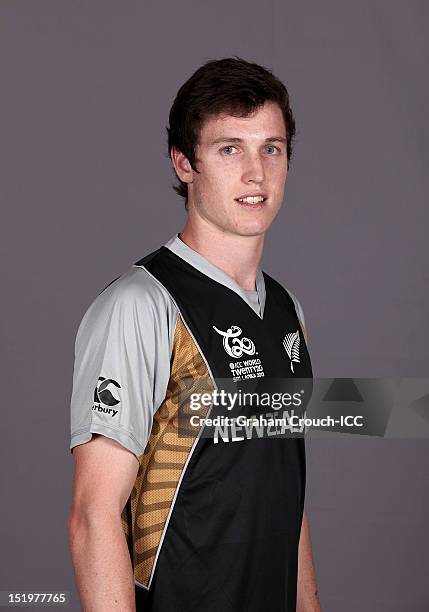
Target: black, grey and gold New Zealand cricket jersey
{"x":214,"y":517}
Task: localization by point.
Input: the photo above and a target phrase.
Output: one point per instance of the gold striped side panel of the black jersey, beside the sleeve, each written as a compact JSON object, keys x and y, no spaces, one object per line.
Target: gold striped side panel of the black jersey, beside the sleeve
{"x":162,"y":463}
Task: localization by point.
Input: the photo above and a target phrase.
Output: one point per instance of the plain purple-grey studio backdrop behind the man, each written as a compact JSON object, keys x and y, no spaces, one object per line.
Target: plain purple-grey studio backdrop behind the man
{"x":85,"y":191}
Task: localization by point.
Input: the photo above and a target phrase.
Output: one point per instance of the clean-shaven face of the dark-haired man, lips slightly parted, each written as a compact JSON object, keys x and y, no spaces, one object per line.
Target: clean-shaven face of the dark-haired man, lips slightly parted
{"x":238,"y":157}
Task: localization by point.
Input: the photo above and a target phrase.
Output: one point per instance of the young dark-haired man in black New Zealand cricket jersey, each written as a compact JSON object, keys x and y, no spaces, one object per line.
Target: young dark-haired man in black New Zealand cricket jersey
{"x":163,"y":521}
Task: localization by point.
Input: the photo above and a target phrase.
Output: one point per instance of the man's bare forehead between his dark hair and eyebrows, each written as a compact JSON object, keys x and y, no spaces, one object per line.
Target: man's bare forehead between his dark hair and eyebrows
{"x":266,"y":121}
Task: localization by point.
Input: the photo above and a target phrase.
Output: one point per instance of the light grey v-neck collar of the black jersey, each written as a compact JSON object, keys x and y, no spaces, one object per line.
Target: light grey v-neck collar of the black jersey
{"x":198,"y":261}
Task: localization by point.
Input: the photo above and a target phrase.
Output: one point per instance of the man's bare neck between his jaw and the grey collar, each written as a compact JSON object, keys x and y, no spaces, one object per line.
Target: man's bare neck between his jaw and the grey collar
{"x":237,"y":256}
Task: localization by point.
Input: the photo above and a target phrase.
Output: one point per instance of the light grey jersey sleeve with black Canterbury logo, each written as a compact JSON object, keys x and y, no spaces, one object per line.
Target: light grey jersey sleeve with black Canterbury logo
{"x":122,"y":362}
